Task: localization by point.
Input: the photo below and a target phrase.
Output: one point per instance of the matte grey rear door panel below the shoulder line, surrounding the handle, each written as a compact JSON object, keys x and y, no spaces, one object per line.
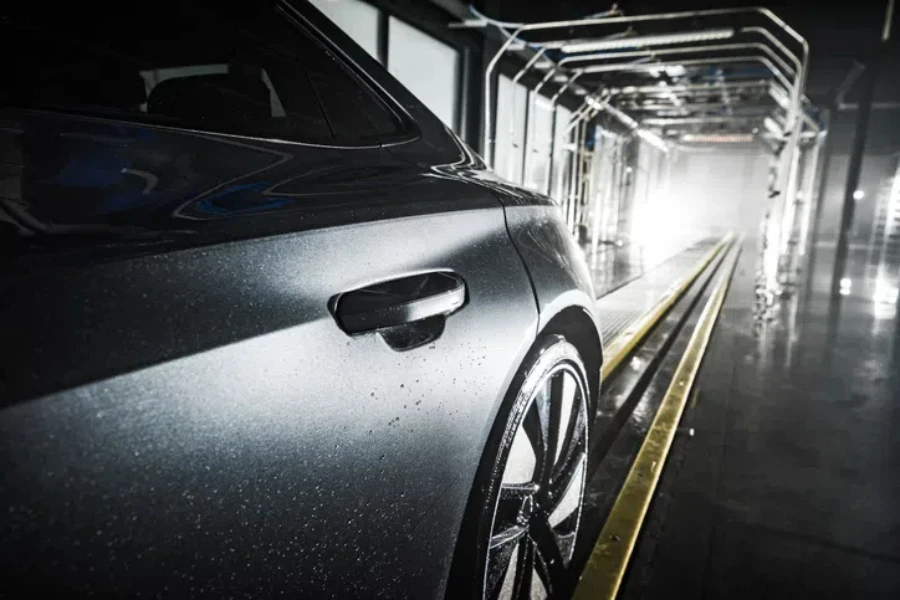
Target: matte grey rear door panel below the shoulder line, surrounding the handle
{"x":276,"y":462}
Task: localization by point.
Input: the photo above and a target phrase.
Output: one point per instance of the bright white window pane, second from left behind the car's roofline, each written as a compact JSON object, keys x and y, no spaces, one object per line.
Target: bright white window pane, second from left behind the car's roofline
{"x":427,"y":67}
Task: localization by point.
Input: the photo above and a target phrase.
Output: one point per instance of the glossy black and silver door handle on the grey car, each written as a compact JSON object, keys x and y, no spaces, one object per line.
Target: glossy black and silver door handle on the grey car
{"x":399,"y":302}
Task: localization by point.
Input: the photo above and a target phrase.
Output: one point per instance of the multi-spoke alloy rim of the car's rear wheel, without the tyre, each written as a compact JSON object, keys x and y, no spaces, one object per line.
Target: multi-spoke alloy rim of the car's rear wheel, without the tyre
{"x":542,"y":468}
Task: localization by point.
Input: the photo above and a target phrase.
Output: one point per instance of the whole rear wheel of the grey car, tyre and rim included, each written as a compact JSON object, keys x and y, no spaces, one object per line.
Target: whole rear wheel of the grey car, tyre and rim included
{"x":522,"y":520}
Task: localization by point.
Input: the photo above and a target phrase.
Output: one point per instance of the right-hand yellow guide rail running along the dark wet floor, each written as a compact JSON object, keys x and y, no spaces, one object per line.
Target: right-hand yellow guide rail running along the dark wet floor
{"x":609,"y":559}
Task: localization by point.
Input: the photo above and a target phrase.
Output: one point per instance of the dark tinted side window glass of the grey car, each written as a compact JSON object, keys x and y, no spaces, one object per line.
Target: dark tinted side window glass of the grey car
{"x":250,"y":71}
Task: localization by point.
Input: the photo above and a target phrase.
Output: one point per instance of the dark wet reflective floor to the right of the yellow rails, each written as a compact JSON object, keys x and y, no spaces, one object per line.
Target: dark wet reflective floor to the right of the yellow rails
{"x":790,"y":485}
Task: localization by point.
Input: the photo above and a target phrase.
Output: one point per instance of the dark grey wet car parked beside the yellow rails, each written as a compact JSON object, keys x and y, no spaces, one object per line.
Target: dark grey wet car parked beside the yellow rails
{"x":270,"y":328}
